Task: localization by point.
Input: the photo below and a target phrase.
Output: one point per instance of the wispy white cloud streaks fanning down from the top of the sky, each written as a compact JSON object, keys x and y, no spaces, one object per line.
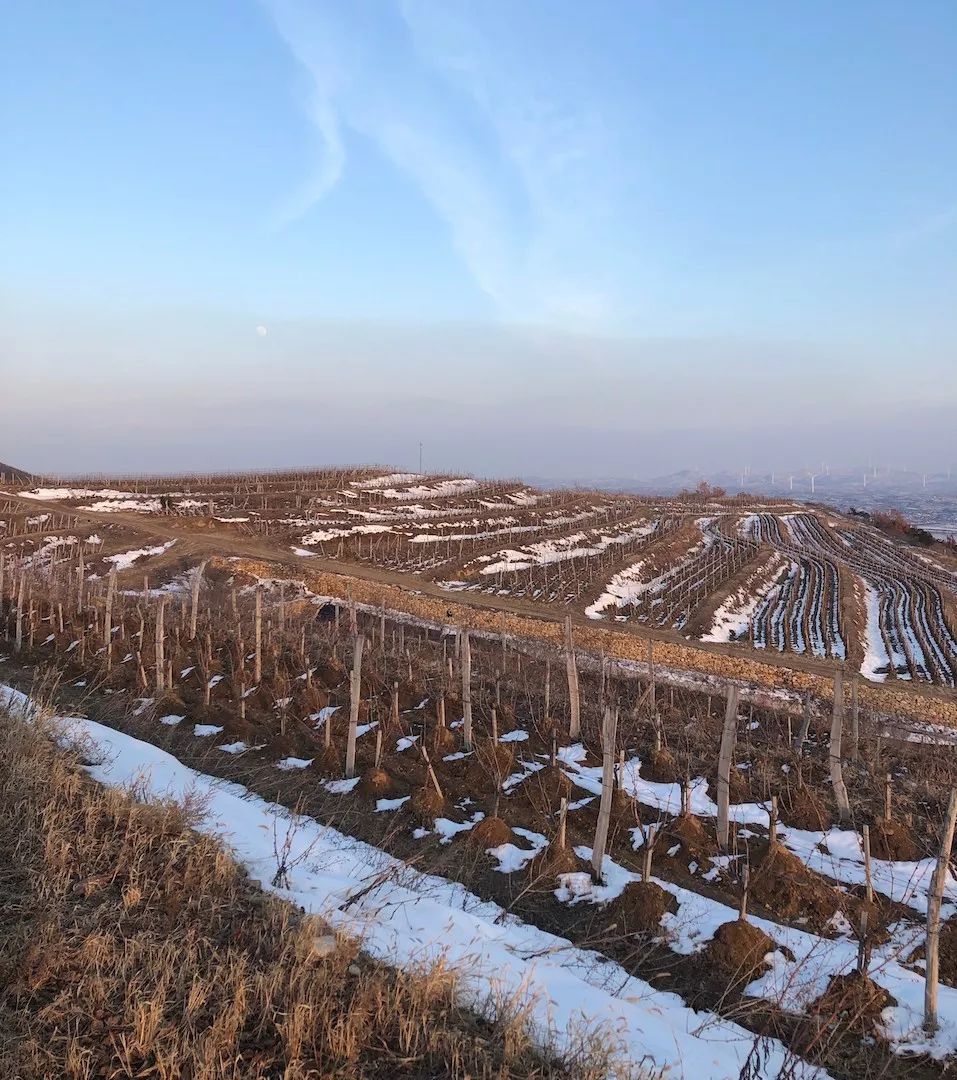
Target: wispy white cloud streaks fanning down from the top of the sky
{"x":455,"y":101}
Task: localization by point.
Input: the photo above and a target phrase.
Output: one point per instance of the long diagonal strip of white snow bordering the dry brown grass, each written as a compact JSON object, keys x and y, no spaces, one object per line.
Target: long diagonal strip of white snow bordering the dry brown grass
{"x":409,"y":921}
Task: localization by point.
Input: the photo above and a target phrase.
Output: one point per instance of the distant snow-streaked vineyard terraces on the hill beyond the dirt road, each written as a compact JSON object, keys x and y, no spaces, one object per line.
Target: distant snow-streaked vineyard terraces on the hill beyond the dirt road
{"x":776,"y":578}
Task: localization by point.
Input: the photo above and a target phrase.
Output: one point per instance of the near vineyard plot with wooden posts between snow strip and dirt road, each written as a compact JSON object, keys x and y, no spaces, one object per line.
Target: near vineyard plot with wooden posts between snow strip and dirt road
{"x":465,"y":750}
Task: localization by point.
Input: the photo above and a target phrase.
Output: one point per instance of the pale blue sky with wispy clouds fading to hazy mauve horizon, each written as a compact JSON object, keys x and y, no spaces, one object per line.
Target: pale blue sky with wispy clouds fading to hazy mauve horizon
{"x":552,"y":237}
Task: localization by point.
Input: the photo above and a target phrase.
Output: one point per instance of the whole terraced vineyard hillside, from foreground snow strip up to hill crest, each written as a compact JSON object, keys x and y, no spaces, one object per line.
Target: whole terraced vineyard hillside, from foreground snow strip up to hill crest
{"x":560,"y":707}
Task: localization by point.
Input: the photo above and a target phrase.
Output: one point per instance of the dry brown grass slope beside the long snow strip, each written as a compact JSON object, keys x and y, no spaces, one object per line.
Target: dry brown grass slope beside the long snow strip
{"x":131,"y":947}
